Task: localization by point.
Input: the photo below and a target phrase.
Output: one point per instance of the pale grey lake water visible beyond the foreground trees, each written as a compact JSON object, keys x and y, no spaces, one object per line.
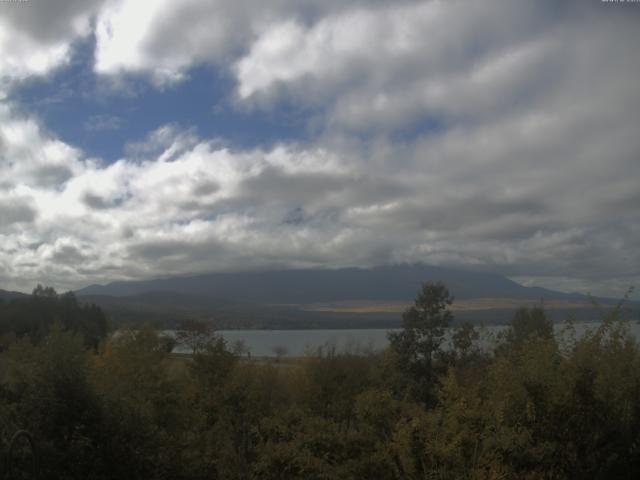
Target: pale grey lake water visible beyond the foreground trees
{"x":265,"y":343}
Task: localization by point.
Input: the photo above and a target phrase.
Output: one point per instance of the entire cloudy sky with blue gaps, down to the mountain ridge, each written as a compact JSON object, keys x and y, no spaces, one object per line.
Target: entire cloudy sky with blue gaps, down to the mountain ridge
{"x":159,"y":138}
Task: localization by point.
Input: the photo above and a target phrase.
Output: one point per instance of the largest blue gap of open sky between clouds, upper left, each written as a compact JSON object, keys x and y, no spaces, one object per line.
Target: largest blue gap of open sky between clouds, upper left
{"x":82,"y":109}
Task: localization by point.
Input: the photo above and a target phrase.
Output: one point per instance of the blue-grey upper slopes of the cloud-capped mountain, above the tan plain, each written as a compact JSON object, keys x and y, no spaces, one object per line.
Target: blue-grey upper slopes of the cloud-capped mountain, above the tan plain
{"x":304,"y":286}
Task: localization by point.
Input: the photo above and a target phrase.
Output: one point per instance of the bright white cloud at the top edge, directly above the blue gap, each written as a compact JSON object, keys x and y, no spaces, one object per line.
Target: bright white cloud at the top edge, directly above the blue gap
{"x":165,"y":38}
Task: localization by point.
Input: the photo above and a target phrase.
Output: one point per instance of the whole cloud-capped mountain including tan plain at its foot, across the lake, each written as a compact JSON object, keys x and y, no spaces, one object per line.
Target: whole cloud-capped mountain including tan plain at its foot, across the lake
{"x":318,"y":298}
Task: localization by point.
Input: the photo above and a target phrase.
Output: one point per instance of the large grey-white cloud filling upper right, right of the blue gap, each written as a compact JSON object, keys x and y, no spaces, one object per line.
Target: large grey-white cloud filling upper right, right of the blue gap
{"x":386,"y":68}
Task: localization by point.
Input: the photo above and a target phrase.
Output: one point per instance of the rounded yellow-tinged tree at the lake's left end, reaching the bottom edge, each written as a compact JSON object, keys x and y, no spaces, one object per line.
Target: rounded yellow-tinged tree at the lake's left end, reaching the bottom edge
{"x":147,"y":416}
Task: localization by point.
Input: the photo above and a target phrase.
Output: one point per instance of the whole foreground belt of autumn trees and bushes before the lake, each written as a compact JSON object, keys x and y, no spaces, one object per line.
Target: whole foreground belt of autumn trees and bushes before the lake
{"x":102,"y":406}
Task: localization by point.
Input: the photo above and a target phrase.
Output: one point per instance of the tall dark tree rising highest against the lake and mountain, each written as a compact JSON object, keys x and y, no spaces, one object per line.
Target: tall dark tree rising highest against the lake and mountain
{"x":423,"y":328}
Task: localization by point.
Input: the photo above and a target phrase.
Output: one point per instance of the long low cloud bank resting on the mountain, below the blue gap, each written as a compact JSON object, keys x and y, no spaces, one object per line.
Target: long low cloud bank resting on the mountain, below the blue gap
{"x":205,"y":208}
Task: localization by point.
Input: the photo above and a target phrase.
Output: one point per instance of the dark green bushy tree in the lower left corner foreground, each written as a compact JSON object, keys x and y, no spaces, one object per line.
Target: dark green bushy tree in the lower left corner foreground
{"x":50,"y":395}
